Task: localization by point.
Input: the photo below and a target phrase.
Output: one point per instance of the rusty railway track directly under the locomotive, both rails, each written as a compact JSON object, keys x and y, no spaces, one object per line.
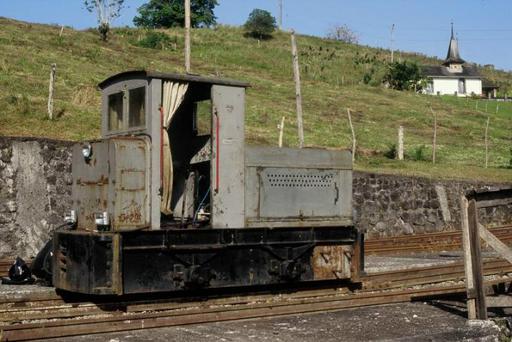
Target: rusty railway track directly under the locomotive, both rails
{"x":47,"y":315}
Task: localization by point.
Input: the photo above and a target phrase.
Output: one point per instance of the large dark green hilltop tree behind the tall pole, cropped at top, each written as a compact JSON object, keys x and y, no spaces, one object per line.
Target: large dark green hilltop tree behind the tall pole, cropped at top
{"x":171,"y":13}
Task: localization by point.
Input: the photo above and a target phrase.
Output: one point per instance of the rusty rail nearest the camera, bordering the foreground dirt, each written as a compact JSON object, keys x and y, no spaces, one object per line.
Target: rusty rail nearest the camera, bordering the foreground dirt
{"x":195,"y":314}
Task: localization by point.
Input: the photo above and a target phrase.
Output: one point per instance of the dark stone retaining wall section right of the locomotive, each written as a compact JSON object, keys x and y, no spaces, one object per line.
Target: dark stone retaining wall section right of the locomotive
{"x":396,"y":205}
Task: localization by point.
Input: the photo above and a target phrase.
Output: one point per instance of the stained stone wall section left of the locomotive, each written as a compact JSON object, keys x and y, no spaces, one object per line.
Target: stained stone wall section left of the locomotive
{"x":35,"y":190}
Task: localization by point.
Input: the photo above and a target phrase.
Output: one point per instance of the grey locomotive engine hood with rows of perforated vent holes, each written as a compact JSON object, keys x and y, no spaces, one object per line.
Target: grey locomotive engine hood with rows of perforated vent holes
{"x":297,"y":187}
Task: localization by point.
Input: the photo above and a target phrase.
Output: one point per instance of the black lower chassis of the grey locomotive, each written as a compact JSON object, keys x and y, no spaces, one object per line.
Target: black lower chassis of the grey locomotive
{"x":177,"y":259}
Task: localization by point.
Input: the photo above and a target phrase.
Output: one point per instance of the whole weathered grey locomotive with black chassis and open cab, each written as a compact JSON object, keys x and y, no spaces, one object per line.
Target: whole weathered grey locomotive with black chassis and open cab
{"x":171,"y":198}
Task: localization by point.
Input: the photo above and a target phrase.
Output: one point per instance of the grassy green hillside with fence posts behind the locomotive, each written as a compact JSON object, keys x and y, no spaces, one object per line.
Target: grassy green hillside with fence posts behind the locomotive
{"x":332,"y":74}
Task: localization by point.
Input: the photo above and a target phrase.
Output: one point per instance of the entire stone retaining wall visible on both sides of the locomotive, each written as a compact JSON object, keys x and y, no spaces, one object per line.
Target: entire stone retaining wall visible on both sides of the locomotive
{"x":35,"y":190}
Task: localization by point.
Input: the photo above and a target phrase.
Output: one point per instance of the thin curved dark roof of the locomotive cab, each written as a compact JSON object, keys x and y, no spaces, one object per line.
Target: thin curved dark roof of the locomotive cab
{"x":191,"y":78}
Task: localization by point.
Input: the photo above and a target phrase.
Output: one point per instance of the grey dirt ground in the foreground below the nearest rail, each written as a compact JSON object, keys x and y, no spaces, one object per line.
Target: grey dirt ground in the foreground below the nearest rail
{"x":399,"y":322}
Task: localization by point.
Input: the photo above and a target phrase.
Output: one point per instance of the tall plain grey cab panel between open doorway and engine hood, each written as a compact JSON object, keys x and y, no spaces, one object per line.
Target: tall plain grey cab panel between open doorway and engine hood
{"x":228,"y":149}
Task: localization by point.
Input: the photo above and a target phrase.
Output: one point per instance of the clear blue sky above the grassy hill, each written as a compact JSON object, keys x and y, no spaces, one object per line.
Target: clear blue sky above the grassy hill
{"x":483,"y":27}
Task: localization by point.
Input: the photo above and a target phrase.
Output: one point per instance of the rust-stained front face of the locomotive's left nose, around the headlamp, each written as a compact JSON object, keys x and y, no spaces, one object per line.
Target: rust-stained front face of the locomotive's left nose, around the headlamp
{"x":90,"y":183}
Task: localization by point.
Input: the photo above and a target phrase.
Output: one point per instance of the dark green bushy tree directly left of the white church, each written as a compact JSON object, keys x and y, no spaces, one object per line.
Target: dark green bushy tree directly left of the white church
{"x":404,"y":76}
